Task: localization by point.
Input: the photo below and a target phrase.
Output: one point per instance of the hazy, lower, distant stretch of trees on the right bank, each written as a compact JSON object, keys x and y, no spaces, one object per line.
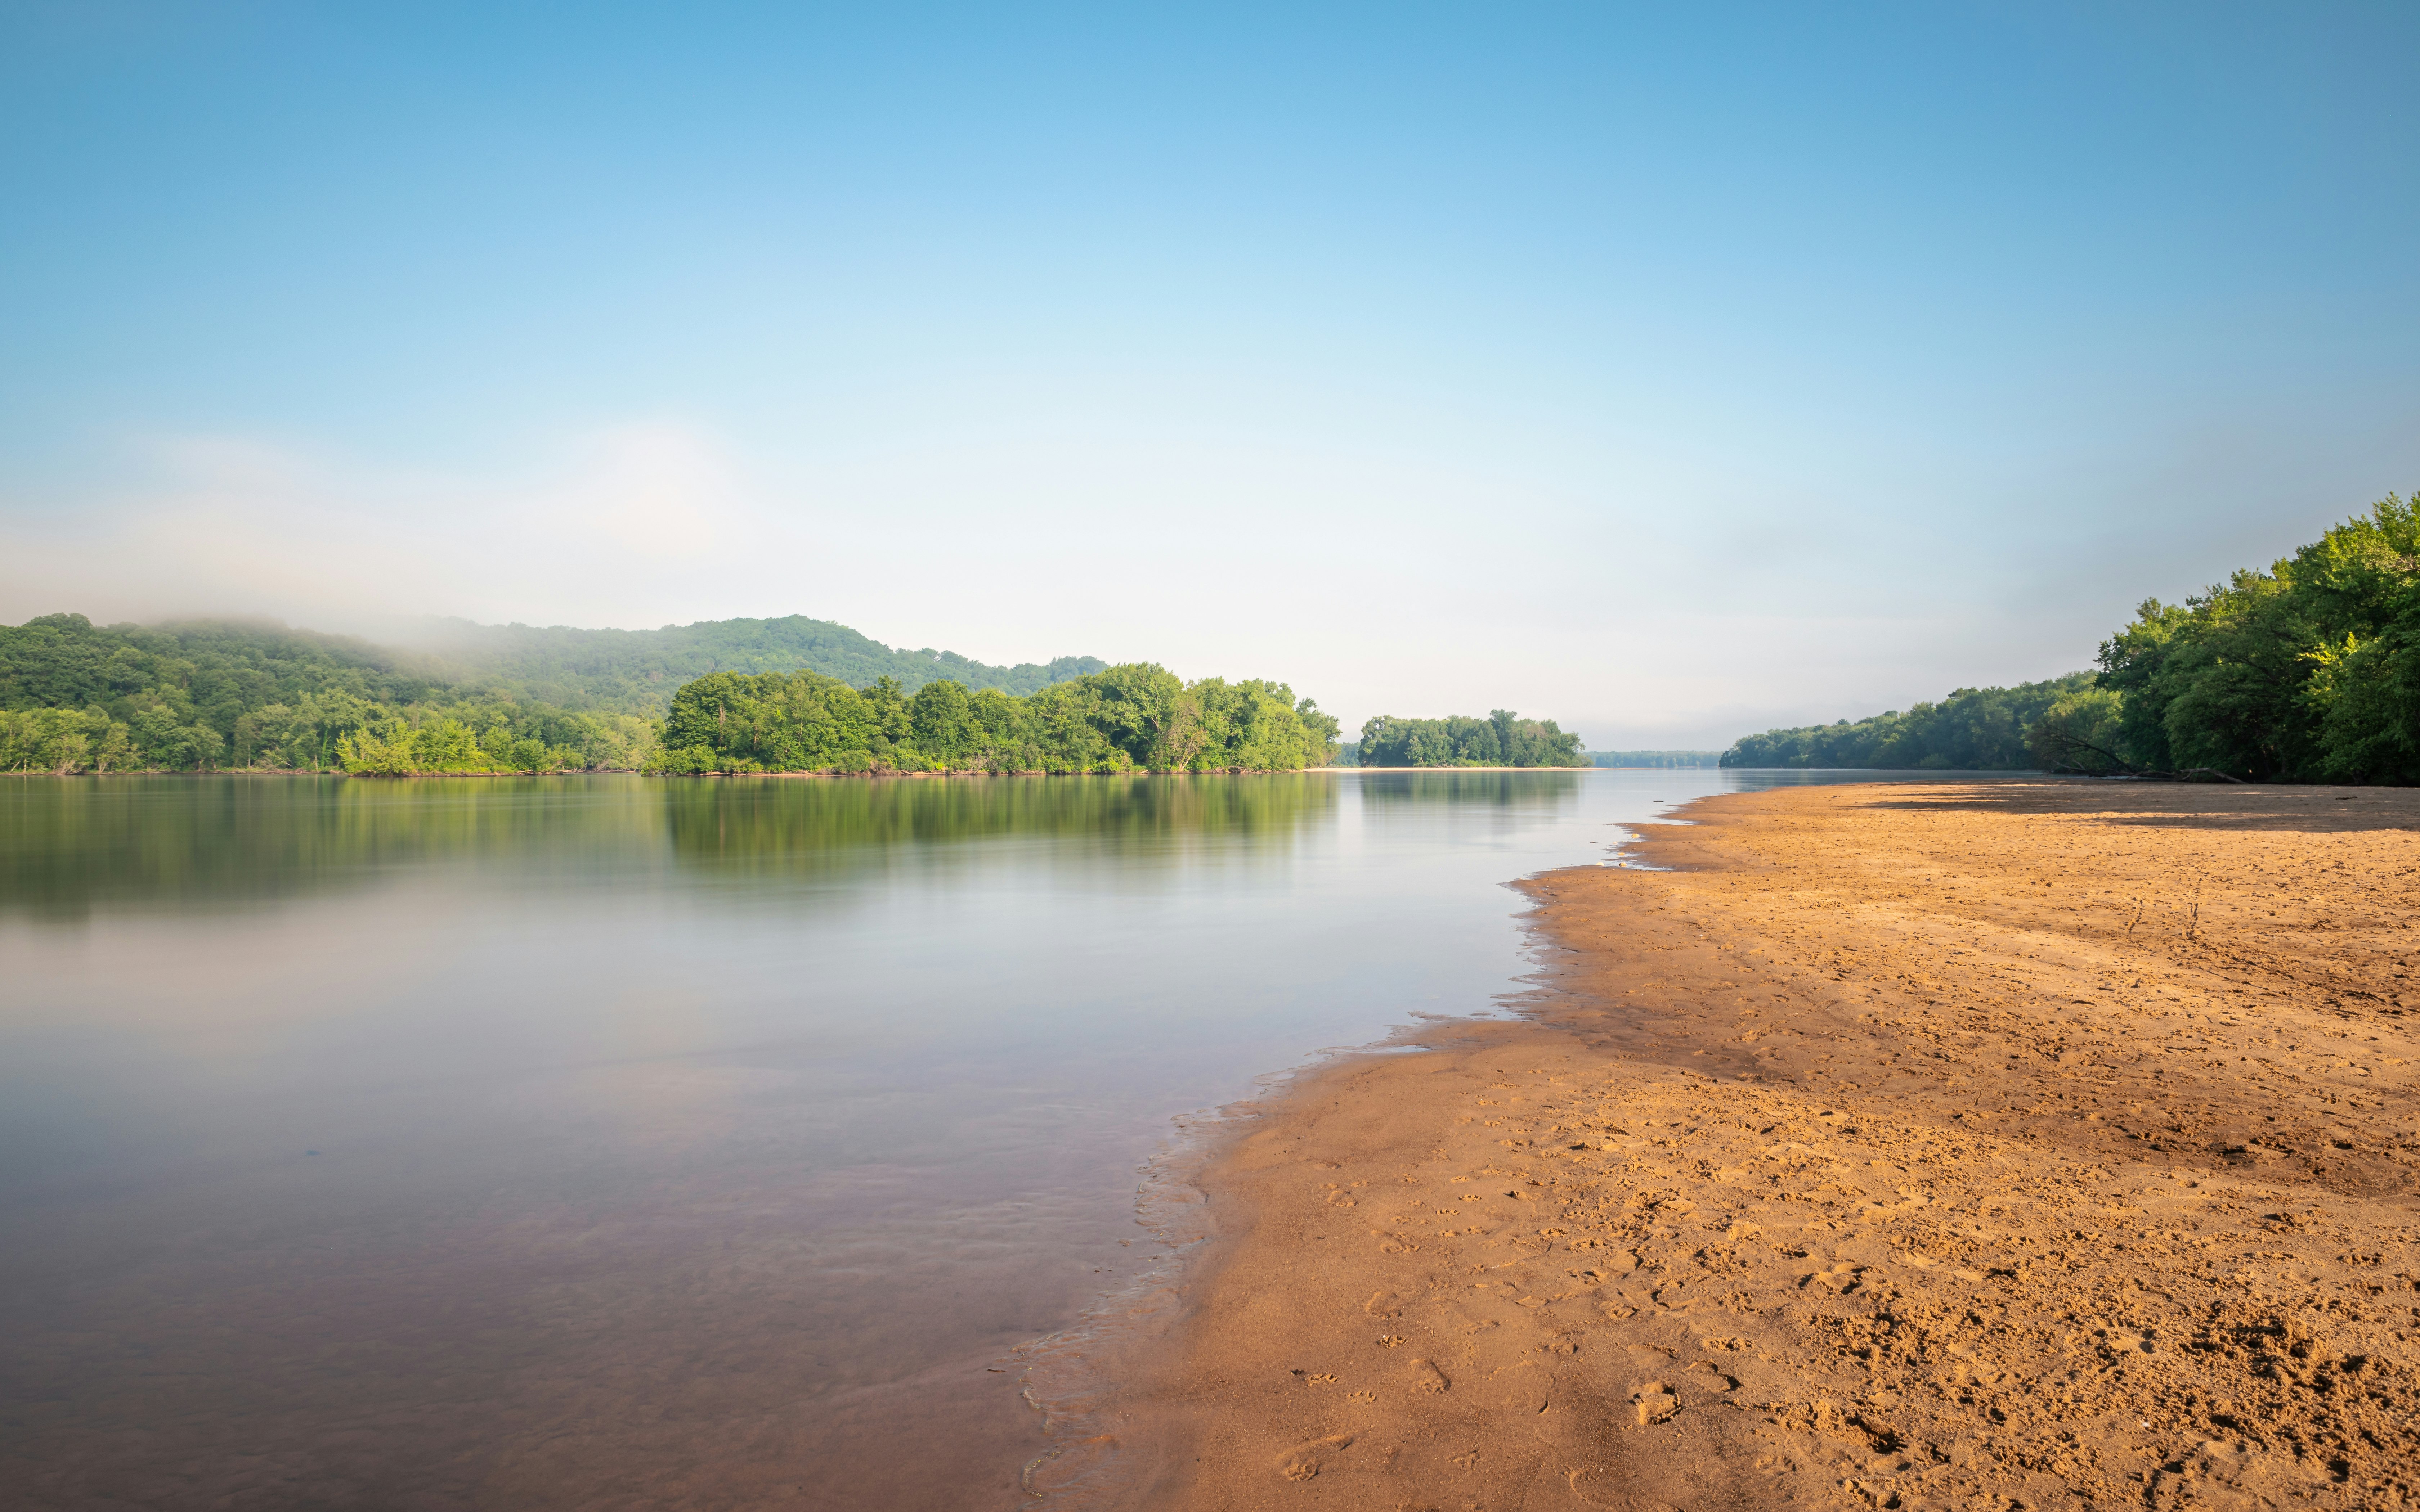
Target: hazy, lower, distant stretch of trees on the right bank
{"x":1976,"y":729}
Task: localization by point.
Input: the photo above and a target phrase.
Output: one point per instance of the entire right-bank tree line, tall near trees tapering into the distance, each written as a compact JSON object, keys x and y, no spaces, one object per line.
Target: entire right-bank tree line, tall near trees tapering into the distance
{"x":2307,"y":671}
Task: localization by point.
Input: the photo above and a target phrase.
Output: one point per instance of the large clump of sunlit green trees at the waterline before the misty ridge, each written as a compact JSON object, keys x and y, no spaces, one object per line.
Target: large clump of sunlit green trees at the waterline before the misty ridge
{"x":1122,"y":720}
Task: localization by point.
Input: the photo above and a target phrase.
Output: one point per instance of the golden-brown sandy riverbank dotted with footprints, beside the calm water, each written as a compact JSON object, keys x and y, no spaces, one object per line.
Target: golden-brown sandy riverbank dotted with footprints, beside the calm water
{"x":1901,"y":1145}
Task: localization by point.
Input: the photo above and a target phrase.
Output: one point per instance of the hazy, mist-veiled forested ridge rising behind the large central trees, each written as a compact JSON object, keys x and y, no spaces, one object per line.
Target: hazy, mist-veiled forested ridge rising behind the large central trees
{"x":635,"y":671}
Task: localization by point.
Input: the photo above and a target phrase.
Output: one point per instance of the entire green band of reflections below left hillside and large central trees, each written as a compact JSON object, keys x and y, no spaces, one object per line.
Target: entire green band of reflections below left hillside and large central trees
{"x":204,"y":843}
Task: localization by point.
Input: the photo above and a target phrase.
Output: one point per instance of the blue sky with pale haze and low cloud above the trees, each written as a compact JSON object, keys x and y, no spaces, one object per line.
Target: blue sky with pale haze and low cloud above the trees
{"x":1671,"y":371}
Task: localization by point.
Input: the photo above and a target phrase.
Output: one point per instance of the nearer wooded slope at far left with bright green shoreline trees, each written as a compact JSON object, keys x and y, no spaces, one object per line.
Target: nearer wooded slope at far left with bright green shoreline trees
{"x":83,"y":698}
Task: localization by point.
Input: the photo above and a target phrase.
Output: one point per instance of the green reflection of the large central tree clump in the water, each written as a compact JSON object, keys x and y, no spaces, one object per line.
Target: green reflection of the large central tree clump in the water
{"x":785,"y":824}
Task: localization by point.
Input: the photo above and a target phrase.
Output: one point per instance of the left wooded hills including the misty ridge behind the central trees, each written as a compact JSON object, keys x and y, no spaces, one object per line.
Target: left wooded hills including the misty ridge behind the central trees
{"x":480,"y":698}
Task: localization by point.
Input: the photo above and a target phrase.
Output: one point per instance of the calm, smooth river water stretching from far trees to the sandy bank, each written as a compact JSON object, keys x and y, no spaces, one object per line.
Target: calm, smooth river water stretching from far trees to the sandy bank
{"x":613,"y":1143}
